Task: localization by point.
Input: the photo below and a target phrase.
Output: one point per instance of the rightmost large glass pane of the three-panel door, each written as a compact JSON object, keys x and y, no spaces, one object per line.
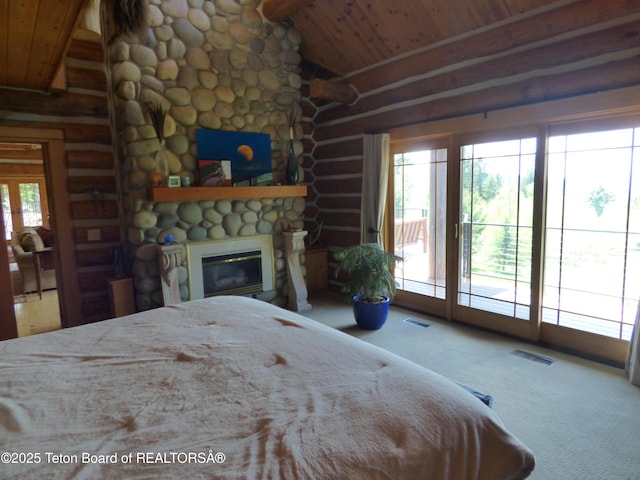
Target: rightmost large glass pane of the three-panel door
{"x":592,"y":258}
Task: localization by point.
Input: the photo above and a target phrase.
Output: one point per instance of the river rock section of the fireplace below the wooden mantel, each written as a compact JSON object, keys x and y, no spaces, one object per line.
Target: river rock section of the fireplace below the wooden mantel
{"x":223,"y":221}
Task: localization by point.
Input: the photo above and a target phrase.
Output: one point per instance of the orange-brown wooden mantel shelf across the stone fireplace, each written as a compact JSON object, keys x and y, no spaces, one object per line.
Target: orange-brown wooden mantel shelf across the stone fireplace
{"x":192,"y":194}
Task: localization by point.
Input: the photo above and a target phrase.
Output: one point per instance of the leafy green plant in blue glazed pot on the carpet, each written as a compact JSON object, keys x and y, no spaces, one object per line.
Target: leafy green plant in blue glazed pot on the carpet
{"x":369,"y":282}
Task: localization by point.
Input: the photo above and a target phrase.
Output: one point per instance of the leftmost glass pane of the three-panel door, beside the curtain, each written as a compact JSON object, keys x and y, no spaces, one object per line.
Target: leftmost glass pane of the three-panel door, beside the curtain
{"x":420,"y":217}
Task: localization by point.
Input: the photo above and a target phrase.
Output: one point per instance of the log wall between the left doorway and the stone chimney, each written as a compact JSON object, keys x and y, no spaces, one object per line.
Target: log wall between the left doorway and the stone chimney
{"x":81,"y":112}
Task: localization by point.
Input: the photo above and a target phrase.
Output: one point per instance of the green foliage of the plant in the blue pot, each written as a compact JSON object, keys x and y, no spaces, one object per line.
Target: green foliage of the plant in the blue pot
{"x":368,"y":268}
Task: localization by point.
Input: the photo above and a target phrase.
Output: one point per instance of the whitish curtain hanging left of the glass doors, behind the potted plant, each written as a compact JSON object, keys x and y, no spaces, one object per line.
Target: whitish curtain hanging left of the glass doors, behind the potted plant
{"x":375,"y":179}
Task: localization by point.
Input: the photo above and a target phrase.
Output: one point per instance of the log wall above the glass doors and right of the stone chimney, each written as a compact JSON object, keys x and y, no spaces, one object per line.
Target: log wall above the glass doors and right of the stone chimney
{"x":579,"y":48}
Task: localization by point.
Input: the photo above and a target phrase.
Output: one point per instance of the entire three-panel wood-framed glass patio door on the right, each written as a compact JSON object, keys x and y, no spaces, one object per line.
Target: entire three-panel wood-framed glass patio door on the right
{"x":535,"y":233}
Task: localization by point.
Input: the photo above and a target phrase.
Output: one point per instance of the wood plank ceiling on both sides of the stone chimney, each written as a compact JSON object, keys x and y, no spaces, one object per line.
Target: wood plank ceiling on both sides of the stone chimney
{"x":341,"y":36}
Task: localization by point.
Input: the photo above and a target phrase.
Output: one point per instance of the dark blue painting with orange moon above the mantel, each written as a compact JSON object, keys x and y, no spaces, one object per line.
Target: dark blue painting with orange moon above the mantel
{"x":249,"y":153}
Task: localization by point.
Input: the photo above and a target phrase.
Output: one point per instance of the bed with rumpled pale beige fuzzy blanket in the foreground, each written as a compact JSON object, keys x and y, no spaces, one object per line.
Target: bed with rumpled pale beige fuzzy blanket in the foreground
{"x":236,"y":388}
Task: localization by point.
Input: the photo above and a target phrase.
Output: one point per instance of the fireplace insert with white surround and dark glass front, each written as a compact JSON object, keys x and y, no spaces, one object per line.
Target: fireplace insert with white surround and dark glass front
{"x":230,"y":267}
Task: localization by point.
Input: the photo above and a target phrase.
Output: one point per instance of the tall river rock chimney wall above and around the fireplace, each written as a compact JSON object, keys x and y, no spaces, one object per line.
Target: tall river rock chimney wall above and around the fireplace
{"x":209,"y":64}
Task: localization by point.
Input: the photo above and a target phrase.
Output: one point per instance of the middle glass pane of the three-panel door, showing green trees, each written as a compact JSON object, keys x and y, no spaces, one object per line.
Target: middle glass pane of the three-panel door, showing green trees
{"x":496,"y":226}
